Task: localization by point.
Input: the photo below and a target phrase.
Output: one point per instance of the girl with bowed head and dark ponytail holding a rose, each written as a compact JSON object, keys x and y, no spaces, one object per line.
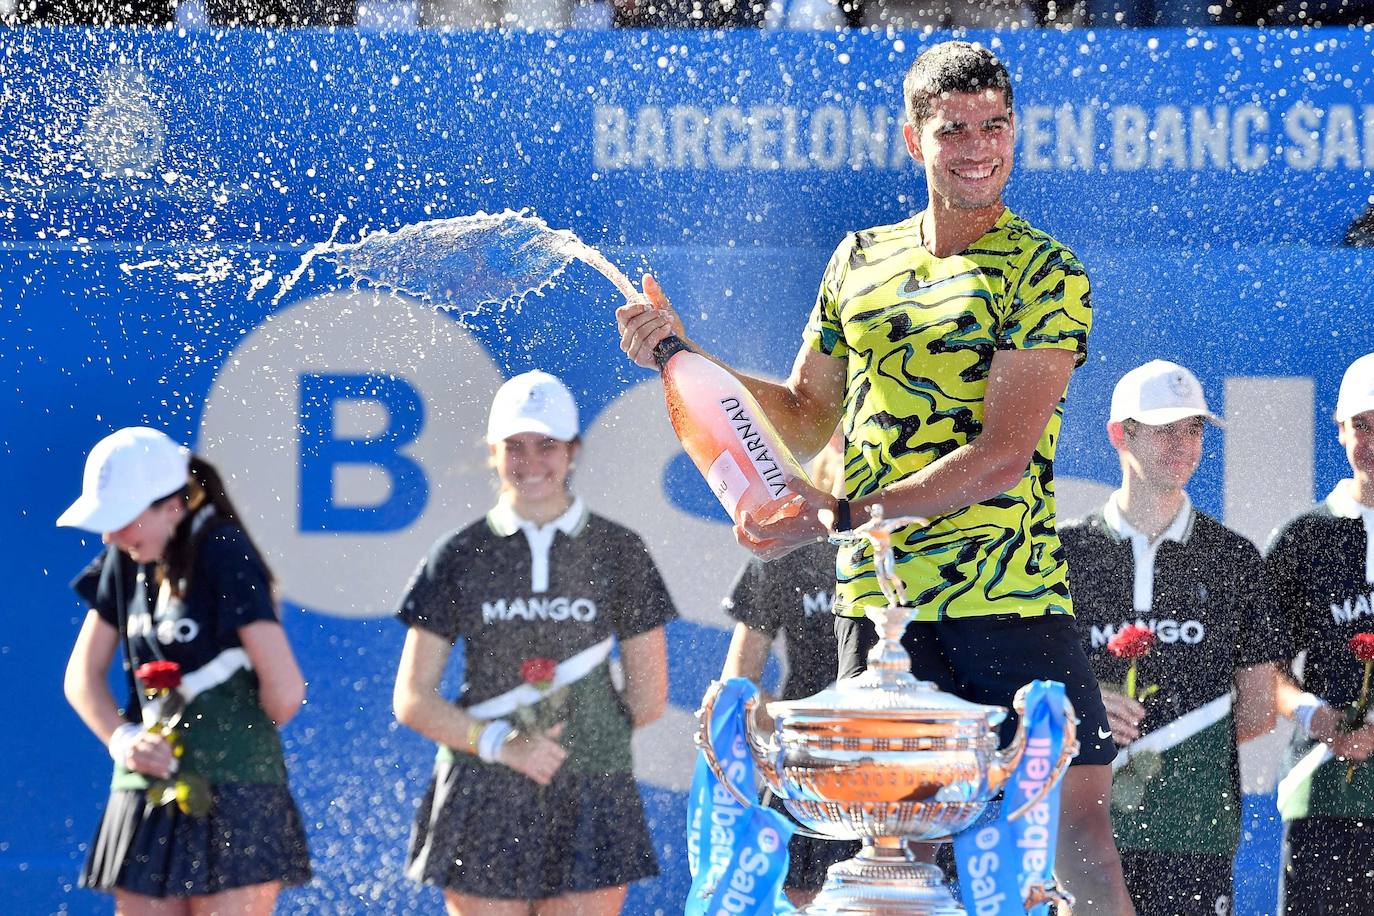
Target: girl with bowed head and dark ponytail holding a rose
{"x":200,"y":818}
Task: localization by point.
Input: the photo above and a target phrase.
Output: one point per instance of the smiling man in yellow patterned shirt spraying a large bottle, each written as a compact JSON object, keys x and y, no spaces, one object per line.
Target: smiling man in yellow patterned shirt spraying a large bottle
{"x":945,"y":345}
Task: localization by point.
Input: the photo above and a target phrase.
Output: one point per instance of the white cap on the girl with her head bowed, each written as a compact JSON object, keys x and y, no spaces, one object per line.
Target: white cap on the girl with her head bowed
{"x":127,"y":472}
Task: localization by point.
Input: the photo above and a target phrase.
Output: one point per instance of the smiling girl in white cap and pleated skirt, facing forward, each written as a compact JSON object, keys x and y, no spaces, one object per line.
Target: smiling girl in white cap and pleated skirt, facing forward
{"x":534,"y":804}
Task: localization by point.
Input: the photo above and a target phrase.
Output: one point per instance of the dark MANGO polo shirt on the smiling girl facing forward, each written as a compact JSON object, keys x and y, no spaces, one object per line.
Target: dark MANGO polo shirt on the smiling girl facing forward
{"x":512,"y":602}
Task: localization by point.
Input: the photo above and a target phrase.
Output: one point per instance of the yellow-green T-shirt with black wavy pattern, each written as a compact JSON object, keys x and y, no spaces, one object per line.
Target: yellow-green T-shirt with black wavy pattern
{"x":919,"y":334}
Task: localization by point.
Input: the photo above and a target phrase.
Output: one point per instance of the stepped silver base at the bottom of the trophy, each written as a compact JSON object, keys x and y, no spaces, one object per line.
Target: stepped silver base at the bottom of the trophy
{"x":881,"y":881}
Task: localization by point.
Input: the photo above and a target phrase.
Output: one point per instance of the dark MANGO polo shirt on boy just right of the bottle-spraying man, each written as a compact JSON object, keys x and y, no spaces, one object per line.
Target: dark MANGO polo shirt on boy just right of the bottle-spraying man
{"x":1200,"y":588}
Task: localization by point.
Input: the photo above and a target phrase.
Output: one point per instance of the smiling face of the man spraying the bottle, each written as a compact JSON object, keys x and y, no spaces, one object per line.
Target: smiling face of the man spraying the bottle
{"x":967,"y":148}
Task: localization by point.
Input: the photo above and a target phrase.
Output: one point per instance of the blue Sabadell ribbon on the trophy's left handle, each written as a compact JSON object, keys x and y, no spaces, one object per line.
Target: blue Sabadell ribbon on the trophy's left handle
{"x":737,"y":855}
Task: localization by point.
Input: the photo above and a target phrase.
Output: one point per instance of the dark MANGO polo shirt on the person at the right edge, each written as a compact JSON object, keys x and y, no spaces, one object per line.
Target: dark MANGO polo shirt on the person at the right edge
{"x":1318,"y":568}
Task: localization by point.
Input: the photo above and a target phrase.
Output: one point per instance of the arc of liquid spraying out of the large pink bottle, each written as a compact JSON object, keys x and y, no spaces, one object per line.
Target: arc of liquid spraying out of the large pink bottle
{"x":464,"y":263}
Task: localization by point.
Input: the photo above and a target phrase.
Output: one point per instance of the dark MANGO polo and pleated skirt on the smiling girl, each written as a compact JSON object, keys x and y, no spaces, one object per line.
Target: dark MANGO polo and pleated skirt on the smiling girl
{"x":517,"y":594}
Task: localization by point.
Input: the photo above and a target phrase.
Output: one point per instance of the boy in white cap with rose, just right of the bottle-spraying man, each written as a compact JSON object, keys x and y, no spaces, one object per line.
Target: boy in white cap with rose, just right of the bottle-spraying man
{"x":1149,"y":558}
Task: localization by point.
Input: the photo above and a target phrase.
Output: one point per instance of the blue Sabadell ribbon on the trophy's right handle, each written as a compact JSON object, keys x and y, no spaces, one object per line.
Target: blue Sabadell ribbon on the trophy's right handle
{"x":1004,"y":865}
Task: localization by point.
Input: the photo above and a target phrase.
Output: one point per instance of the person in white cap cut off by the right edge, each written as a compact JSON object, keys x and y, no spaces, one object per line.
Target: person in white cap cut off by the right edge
{"x":1322,"y":571}
